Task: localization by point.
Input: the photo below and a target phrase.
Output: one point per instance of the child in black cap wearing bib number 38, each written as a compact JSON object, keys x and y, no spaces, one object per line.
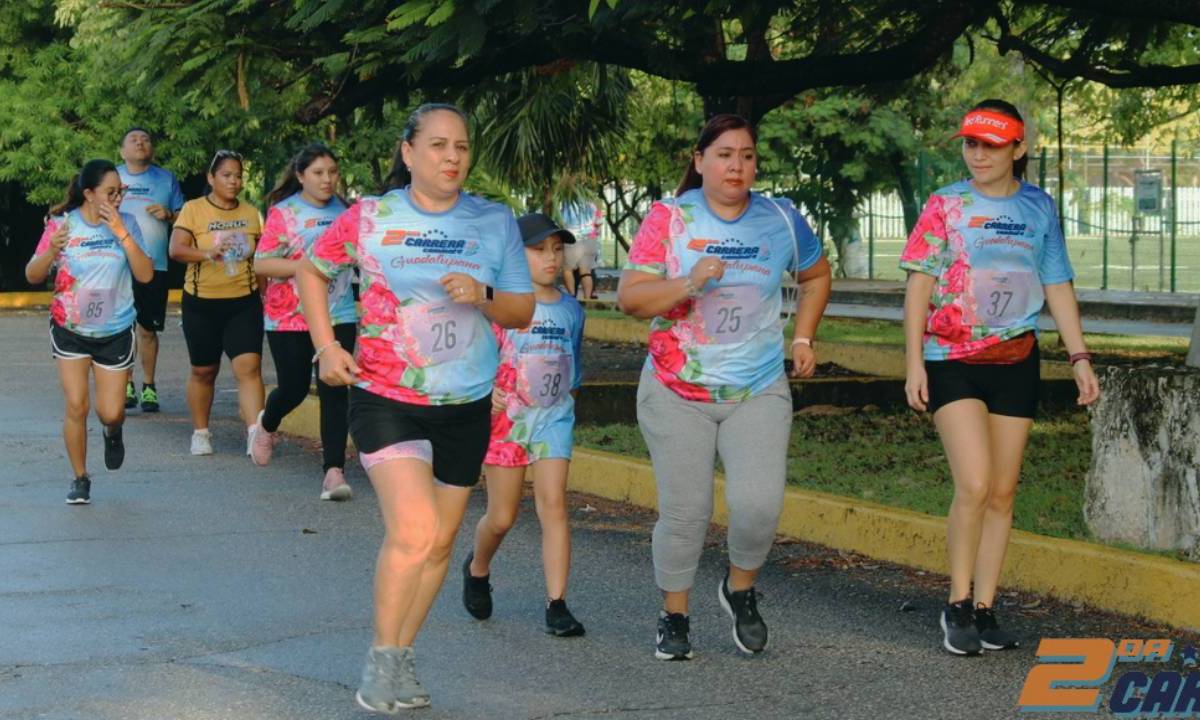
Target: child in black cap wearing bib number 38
{"x":533,"y":424}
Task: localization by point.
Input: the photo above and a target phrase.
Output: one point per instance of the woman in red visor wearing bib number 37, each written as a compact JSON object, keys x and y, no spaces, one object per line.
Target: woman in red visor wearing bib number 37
{"x":986,"y":256}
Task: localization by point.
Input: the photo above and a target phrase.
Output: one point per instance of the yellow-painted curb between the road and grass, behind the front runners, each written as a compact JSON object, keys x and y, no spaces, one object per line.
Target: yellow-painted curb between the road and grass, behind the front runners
{"x":1121,"y":581}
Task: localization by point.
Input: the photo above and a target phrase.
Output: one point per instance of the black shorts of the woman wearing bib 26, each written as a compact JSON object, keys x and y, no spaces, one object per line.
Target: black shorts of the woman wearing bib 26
{"x":459,"y":434}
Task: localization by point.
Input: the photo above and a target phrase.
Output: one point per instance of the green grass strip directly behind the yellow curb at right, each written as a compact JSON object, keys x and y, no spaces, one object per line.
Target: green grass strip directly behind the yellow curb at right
{"x":896,"y":459}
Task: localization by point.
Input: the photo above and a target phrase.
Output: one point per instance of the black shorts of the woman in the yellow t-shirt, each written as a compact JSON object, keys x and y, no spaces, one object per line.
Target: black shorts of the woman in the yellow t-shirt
{"x":212,"y":327}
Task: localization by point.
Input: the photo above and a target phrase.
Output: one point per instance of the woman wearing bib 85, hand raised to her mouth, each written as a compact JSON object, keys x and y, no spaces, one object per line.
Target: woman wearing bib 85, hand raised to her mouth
{"x":99,"y":253}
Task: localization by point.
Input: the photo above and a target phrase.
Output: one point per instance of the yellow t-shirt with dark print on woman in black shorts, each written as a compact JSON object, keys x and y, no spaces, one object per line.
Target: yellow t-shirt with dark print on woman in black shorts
{"x":232,"y":275}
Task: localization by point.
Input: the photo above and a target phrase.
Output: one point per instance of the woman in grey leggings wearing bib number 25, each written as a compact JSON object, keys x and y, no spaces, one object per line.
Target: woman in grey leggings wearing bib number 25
{"x":707,"y":268}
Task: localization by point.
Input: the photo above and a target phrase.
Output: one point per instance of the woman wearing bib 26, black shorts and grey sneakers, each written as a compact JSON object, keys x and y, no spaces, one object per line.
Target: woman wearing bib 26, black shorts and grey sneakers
{"x":437,"y":268}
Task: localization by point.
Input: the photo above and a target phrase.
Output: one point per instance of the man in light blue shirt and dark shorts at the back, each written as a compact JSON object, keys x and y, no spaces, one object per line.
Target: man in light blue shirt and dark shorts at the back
{"x":154,"y":199}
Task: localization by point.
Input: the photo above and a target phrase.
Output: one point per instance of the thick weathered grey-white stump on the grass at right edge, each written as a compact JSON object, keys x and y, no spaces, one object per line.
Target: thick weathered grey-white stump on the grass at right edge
{"x":1143,"y":485}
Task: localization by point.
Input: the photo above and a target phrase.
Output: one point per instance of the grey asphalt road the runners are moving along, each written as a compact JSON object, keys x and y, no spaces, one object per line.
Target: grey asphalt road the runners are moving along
{"x":206,"y":589}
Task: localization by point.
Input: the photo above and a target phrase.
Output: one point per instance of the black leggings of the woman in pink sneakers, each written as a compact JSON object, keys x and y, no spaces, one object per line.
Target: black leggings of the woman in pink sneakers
{"x":293,"y":367}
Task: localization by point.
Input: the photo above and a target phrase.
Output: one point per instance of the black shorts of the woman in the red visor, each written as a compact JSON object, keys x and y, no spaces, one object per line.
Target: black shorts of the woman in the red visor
{"x":1006,"y":389}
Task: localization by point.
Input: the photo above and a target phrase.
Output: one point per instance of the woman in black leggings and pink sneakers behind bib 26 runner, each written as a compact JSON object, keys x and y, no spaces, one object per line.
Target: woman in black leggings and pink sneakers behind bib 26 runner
{"x":302,"y":207}
